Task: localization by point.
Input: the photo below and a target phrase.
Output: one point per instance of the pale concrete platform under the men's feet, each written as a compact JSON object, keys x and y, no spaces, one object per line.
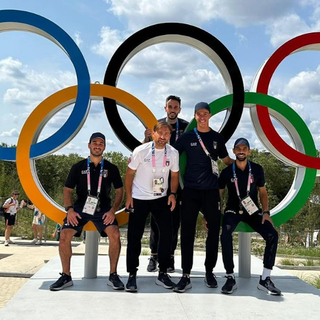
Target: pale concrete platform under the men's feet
{"x":93,"y":299}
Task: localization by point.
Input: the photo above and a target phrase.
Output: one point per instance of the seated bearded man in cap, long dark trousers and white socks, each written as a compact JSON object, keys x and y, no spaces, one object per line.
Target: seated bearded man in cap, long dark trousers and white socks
{"x":244,"y":180}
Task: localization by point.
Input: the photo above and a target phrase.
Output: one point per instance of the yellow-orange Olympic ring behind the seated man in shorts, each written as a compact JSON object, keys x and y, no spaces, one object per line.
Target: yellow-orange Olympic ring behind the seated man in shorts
{"x":33,"y":126}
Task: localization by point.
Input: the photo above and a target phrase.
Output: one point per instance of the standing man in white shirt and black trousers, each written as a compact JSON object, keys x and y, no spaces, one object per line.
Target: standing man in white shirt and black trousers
{"x":146,"y":183}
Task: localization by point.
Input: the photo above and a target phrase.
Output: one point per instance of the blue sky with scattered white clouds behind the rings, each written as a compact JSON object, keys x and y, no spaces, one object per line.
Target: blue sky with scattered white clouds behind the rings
{"x":32,"y":67}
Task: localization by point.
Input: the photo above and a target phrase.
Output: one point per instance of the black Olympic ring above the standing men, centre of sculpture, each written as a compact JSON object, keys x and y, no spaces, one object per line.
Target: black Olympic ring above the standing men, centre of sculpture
{"x":181,"y":33}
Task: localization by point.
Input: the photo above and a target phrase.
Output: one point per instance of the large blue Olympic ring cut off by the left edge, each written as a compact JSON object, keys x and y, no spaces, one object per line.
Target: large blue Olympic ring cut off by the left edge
{"x":27,"y":21}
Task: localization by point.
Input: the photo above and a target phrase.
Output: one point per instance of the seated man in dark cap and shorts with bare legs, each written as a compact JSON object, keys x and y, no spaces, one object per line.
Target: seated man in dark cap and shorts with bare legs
{"x":92,"y":178}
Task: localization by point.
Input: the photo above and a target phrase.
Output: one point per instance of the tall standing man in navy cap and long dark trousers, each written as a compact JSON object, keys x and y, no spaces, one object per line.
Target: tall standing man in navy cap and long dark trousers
{"x":203,"y":146}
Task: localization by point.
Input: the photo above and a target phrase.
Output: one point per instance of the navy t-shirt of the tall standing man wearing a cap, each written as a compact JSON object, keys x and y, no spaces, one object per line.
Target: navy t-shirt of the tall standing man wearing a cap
{"x":198,"y":173}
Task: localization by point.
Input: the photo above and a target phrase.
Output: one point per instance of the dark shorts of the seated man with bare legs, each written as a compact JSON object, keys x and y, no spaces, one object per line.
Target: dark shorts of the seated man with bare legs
{"x":96,"y":220}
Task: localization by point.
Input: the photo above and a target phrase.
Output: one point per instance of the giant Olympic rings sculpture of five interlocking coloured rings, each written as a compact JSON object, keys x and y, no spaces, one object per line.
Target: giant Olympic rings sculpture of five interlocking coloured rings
{"x":261,"y":106}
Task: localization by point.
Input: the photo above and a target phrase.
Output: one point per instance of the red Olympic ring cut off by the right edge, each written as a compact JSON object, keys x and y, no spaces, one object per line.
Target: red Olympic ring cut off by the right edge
{"x":300,"y":42}
